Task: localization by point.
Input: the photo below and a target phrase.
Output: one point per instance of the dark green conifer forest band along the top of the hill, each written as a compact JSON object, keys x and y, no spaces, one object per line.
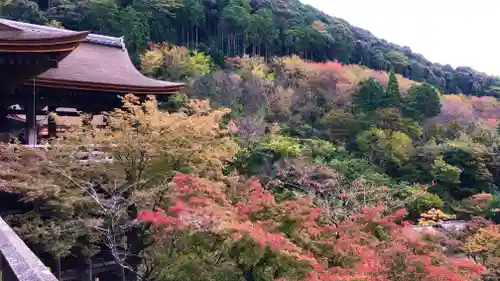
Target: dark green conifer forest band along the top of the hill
{"x":257,"y":27}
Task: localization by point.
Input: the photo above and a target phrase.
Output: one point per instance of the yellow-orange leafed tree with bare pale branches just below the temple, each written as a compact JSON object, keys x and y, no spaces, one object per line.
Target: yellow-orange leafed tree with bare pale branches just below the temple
{"x":96,"y":203}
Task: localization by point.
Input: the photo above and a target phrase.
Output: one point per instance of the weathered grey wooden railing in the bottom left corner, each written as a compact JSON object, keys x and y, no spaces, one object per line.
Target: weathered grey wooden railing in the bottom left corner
{"x":17,"y":261}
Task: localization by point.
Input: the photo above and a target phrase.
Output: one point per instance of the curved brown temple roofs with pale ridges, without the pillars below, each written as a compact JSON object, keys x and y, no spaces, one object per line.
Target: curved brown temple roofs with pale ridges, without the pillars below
{"x":98,"y":63}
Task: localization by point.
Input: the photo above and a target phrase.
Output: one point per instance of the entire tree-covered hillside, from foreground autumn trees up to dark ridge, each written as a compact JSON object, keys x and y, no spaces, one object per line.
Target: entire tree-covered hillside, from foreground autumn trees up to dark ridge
{"x":267,"y":166}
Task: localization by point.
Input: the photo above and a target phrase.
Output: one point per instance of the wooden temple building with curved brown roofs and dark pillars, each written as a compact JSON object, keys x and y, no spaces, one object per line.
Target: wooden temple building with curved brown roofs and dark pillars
{"x":44,"y":68}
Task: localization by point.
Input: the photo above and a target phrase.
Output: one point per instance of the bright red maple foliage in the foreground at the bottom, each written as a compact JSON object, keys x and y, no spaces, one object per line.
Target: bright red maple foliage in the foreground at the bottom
{"x":369,"y":246}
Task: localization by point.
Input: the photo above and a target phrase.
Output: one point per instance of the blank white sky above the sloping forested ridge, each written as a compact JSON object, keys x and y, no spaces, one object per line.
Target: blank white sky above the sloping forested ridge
{"x":455,"y":32}
